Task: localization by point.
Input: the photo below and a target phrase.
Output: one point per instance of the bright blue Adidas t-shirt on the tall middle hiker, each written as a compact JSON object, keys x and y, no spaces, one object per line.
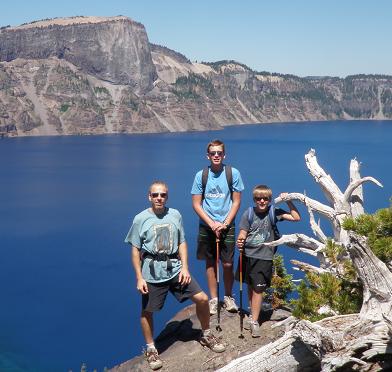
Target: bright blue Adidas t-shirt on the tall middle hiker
{"x":217,"y":197}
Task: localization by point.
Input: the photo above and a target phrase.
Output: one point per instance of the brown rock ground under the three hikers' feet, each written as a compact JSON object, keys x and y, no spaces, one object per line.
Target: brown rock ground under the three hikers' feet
{"x":180,"y":351}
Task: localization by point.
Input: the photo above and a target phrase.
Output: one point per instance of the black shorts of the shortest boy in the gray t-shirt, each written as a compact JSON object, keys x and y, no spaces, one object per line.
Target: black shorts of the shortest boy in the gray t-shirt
{"x":256,"y":273}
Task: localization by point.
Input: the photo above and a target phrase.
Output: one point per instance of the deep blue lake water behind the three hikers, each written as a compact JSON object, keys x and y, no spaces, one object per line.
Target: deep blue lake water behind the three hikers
{"x":67,"y":286}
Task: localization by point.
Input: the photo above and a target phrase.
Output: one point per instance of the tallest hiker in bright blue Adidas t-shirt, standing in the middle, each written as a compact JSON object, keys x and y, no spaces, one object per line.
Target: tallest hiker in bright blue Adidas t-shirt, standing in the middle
{"x":216,"y":203}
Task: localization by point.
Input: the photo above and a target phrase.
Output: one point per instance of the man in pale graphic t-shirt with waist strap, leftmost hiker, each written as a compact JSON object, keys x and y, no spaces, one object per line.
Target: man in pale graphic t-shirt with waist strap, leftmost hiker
{"x":160,"y":260}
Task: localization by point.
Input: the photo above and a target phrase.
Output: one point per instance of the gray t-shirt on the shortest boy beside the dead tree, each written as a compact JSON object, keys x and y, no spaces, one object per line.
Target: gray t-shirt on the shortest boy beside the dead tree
{"x":259,"y":232}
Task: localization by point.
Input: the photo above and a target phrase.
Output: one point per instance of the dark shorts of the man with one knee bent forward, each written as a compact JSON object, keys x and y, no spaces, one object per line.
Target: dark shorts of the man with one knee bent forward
{"x":157,"y":292}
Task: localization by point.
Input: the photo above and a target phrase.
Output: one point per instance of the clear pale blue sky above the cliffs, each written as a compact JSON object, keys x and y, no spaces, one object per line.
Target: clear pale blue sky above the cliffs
{"x":301,"y":37}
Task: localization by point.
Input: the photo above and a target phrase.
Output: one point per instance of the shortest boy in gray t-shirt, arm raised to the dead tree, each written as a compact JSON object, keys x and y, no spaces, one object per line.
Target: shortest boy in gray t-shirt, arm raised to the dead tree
{"x":256,"y":228}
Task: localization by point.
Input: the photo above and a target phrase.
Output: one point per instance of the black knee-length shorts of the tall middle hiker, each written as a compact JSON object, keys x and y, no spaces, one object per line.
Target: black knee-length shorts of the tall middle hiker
{"x":206,"y":244}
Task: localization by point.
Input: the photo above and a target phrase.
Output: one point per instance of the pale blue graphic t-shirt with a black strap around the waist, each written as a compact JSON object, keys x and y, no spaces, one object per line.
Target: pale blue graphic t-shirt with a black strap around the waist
{"x":157,"y":234}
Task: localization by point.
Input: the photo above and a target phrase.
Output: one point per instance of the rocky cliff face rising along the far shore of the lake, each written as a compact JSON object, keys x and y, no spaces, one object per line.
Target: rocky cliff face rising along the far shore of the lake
{"x":89,"y":75}
